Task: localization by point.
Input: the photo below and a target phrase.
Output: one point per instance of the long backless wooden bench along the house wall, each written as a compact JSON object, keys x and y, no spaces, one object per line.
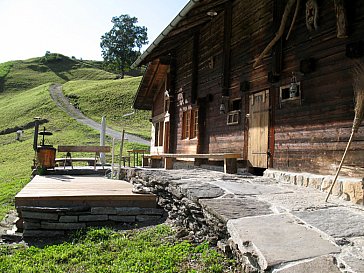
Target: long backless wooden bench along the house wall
{"x":230,"y":159}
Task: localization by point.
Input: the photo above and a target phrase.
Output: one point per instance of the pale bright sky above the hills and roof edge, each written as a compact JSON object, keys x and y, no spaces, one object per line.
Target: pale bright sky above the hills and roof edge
{"x":29,"y":28}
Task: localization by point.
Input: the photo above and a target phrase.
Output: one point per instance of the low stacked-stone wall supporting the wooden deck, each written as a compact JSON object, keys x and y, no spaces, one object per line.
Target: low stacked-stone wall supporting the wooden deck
{"x":58,"y":221}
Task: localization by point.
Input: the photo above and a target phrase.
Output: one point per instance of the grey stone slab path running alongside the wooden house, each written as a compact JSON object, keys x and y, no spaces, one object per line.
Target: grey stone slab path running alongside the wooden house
{"x":277,"y":227}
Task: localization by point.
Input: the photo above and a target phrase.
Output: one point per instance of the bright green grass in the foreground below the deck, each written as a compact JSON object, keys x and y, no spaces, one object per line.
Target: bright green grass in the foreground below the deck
{"x":104,"y":250}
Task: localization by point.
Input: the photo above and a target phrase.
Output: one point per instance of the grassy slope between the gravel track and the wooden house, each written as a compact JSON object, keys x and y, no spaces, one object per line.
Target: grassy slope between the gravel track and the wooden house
{"x":113,"y":99}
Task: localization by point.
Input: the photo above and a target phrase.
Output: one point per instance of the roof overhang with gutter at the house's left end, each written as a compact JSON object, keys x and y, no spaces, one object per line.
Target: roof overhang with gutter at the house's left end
{"x":192,"y":17}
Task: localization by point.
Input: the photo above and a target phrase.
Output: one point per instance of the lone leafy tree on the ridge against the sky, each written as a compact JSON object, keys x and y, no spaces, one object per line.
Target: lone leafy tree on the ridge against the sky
{"x":121,"y":45}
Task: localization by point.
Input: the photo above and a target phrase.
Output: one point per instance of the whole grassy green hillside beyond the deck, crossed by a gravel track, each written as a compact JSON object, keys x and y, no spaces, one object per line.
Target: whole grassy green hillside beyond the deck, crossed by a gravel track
{"x":25,"y":95}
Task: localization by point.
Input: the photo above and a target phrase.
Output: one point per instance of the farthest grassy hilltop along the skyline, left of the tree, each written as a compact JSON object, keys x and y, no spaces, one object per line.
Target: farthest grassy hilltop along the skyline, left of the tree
{"x":53,"y":67}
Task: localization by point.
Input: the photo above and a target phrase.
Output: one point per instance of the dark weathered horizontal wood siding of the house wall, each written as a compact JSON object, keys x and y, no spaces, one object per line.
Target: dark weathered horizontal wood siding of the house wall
{"x":307,"y":136}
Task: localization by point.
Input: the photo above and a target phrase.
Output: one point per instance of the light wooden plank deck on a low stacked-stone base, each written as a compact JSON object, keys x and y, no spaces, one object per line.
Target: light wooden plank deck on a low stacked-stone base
{"x":67,"y":191}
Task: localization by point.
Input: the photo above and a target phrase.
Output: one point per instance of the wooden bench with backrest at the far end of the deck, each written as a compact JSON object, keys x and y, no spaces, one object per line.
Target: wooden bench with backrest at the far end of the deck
{"x":68,"y":160}
